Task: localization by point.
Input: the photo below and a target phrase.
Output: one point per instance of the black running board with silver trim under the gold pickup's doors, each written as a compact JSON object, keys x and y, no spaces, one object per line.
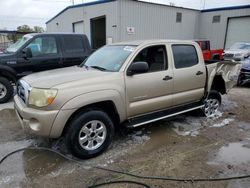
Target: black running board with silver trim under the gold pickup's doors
{"x":156,"y":116}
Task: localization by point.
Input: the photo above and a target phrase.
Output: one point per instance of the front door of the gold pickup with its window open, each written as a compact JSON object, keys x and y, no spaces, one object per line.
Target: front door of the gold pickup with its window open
{"x":150,"y":91}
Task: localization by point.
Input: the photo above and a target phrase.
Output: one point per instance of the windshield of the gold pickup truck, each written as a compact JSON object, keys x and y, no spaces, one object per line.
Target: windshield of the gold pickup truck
{"x":109,"y":58}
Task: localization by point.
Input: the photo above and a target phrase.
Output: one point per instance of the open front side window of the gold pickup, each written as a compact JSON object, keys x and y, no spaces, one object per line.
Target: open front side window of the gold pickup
{"x":155,"y":56}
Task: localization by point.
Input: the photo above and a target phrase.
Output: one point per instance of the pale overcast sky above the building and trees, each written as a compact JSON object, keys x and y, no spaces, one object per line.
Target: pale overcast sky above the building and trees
{"x":36,"y":12}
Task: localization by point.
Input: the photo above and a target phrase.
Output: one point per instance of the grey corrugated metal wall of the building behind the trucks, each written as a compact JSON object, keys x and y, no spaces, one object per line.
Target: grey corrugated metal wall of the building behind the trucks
{"x":149,"y":21}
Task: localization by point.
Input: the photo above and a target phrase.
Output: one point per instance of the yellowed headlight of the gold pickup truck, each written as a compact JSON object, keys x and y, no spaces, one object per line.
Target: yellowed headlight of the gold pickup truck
{"x":42,"y":97}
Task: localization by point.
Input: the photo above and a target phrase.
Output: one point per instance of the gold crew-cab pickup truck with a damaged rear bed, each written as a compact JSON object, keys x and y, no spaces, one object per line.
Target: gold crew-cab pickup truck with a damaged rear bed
{"x":124,"y":84}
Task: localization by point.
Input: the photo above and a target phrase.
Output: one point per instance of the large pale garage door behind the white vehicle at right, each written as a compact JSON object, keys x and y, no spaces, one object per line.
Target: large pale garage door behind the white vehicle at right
{"x":238,"y":31}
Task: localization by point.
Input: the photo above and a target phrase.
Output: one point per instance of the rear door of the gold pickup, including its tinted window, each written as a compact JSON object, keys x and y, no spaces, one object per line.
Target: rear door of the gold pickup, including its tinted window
{"x":189,"y":74}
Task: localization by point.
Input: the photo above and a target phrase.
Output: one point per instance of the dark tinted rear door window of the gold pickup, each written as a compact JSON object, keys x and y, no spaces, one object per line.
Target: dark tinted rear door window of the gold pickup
{"x":184,"y":56}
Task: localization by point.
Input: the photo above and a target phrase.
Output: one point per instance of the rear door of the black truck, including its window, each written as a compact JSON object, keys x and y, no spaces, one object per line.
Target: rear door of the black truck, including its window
{"x":74,"y":50}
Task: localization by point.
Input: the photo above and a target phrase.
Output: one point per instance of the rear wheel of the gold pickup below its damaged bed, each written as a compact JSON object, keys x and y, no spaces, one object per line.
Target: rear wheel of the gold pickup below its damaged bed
{"x":212,"y":104}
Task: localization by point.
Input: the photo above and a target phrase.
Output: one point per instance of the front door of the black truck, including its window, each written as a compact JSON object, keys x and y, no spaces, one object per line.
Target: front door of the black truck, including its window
{"x":46,"y":55}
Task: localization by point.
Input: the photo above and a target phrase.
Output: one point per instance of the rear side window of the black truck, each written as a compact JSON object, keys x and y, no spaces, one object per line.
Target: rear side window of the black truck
{"x":73,"y":44}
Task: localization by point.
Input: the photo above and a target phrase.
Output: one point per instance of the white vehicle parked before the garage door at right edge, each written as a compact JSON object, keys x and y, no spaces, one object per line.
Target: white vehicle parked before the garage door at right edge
{"x":240,"y":50}
